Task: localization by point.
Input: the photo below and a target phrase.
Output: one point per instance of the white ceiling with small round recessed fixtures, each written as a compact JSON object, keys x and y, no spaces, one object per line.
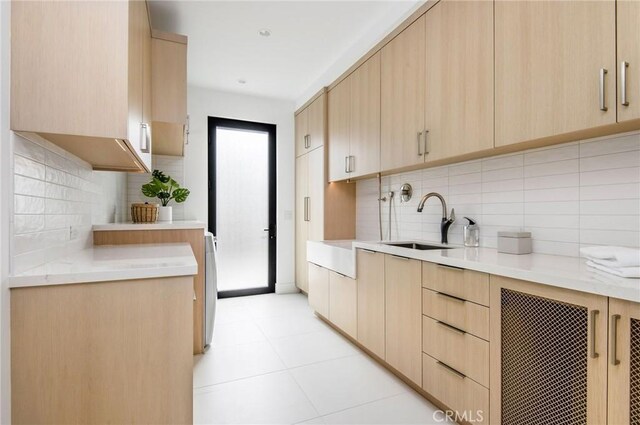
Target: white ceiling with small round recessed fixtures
{"x":311,"y":42}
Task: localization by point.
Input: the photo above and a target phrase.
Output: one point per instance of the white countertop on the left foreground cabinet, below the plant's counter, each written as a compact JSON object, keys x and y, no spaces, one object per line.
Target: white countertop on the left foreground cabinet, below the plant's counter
{"x":112,"y":262}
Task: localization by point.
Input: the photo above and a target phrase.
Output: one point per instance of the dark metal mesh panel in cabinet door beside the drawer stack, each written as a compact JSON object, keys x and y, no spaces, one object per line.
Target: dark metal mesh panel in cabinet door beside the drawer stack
{"x":544,"y":361}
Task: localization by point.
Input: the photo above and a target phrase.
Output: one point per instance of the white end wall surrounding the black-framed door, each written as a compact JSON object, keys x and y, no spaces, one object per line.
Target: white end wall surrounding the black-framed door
{"x":203,"y":103}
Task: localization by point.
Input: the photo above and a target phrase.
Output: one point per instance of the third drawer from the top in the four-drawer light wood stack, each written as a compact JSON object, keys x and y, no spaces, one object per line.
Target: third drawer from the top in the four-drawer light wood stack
{"x":462,"y":351}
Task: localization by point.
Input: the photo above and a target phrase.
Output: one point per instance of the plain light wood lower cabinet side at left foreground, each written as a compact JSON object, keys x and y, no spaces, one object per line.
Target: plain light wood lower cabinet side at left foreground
{"x":105,"y":352}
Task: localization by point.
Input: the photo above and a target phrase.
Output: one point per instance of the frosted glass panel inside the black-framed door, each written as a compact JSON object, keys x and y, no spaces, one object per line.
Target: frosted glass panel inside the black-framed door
{"x":242,"y":204}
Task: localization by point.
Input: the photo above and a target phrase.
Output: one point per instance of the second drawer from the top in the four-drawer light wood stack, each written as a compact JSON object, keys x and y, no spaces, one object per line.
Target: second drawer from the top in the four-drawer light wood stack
{"x":464,"y":315}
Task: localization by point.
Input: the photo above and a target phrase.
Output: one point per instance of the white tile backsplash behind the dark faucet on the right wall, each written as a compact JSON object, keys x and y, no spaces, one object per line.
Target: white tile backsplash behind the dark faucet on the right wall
{"x":567,"y":196}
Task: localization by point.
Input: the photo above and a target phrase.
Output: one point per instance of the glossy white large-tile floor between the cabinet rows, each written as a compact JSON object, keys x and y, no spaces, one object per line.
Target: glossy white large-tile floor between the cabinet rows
{"x":274,"y":361}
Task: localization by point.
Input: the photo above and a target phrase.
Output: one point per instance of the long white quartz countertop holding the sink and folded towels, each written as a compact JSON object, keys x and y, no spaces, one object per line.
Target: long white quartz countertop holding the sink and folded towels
{"x":552,"y":270}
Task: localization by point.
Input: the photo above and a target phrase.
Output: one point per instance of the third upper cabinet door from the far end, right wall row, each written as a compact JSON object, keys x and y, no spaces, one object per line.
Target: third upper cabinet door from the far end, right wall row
{"x":403,"y":98}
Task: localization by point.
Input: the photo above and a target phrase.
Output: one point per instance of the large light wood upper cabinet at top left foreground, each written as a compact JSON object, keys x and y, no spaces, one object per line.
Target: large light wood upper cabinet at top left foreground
{"x":77,"y":79}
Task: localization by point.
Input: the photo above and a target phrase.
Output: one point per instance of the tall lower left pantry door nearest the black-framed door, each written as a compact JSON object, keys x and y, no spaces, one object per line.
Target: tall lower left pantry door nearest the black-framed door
{"x":302,"y":230}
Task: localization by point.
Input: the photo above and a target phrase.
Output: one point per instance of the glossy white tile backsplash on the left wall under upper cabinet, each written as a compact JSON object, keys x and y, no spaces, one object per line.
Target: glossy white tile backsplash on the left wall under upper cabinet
{"x":54,"y":192}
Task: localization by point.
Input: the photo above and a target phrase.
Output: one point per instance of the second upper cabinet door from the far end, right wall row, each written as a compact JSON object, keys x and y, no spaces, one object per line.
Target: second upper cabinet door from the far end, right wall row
{"x":364,"y":140}
